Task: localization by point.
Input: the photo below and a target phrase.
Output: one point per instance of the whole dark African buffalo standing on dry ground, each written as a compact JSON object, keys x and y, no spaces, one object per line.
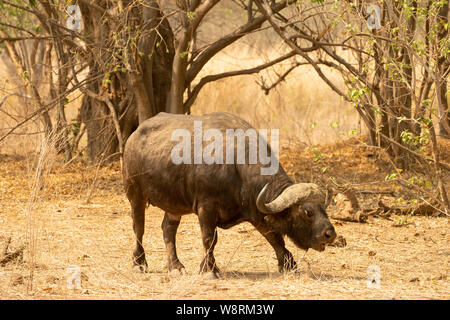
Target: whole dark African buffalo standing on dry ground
{"x":220,"y":194}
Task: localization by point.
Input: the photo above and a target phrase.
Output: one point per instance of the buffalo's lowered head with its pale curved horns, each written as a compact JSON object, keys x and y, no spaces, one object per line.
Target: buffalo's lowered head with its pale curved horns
{"x":299,"y":212}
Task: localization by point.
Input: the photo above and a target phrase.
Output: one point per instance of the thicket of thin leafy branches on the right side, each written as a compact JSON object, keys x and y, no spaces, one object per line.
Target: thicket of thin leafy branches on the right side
{"x":396,"y":74}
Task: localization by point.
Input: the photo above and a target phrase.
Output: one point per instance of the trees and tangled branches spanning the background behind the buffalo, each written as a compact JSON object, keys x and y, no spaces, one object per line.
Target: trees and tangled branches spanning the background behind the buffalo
{"x":135,"y":58}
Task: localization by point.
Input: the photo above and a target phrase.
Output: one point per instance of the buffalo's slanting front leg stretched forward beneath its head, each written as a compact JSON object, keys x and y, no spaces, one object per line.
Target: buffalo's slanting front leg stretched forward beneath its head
{"x":285,"y":258}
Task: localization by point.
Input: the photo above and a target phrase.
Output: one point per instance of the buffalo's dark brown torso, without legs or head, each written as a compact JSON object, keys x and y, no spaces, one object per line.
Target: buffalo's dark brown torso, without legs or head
{"x":179,"y":189}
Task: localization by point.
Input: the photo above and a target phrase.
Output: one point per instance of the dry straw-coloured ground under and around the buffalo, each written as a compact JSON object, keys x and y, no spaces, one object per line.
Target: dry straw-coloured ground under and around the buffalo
{"x":97,"y":237}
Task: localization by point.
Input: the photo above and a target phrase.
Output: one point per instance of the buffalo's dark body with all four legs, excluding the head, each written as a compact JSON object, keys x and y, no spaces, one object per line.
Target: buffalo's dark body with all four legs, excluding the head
{"x":220,"y":194}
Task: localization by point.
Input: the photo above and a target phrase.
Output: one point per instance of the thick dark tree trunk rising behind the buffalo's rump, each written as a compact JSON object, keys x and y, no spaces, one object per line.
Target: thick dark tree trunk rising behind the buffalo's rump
{"x":137,"y":93}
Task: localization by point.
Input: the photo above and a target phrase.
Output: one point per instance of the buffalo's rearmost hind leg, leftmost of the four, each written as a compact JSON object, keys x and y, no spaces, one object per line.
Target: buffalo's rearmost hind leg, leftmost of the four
{"x":138,"y":203}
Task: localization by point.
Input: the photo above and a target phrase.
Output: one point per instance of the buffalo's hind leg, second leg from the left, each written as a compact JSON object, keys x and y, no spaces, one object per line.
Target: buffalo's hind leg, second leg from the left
{"x":169,"y":226}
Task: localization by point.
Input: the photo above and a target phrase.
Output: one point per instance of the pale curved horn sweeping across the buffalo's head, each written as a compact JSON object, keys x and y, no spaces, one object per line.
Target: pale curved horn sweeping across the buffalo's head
{"x":293,"y":194}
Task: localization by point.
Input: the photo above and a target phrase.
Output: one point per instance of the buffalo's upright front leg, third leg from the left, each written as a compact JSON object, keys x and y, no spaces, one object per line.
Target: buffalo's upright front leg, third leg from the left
{"x":208,"y":221}
